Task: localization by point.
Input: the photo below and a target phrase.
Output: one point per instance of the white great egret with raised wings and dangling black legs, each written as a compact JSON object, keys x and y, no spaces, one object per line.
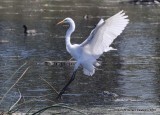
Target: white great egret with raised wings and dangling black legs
{"x":99,"y":41}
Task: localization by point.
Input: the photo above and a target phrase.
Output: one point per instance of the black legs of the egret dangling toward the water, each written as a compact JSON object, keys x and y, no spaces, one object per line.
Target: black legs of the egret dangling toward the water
{"x":65,"y":87}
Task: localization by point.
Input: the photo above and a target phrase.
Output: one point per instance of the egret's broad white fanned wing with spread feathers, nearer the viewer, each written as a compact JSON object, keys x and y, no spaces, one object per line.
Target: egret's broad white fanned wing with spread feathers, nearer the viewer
{"x":103,"y":36}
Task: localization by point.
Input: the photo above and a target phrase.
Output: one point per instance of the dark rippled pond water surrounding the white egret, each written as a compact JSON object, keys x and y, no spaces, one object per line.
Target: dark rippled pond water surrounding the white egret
{"x":131,"y":72}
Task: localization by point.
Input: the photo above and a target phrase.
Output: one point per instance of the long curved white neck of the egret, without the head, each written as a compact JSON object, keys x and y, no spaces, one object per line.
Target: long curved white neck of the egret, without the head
{"x":69,"y":32}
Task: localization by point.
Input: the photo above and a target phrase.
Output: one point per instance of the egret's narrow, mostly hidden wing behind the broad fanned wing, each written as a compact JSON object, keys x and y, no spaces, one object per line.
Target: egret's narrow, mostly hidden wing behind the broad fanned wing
{"x":91,"y":35}
